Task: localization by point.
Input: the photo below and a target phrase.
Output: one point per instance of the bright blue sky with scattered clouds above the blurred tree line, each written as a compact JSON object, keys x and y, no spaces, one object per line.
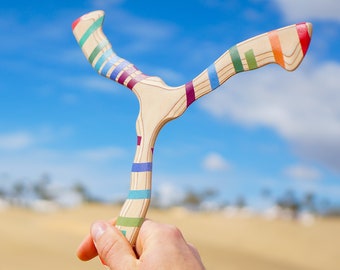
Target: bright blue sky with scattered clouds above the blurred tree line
{"x":265,"y":129}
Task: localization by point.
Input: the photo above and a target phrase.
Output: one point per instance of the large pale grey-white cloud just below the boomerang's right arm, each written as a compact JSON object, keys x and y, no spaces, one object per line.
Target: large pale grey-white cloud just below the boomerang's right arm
{"x":302,"y":107}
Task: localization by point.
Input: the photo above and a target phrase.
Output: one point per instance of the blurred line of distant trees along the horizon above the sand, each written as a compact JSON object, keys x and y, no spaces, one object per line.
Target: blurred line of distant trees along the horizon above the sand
{"x":21,"y":193}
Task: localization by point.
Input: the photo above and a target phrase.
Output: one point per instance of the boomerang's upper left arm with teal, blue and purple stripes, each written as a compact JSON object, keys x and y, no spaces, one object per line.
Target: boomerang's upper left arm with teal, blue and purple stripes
{"x":98,"y":51}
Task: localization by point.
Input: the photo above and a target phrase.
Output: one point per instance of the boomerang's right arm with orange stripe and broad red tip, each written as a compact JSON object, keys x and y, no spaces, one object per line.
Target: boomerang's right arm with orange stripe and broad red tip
{"x":285,"y":46}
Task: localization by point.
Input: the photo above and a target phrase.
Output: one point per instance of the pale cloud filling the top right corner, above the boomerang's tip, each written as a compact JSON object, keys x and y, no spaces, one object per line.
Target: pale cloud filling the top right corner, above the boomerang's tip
{"x":310,"y":9}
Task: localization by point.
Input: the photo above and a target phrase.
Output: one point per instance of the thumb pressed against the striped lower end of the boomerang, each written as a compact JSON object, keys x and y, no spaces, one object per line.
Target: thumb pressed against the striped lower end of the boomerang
{"x":113,"y":248}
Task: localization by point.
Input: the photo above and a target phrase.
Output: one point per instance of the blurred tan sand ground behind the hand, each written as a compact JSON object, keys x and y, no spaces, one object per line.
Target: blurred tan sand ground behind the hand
{"x":32,"y":240}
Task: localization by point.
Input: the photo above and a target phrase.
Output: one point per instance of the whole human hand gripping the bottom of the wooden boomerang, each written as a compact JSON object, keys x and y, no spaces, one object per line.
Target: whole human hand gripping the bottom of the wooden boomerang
{"x":158,"y":246}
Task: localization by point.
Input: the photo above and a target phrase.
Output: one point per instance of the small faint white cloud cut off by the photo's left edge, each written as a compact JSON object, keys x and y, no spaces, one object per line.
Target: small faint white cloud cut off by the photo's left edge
{"x":15,"y":141}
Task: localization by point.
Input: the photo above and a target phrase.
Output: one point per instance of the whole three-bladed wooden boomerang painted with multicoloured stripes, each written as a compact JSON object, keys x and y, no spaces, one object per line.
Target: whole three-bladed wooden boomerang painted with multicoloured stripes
{"x":160,"y":103}
